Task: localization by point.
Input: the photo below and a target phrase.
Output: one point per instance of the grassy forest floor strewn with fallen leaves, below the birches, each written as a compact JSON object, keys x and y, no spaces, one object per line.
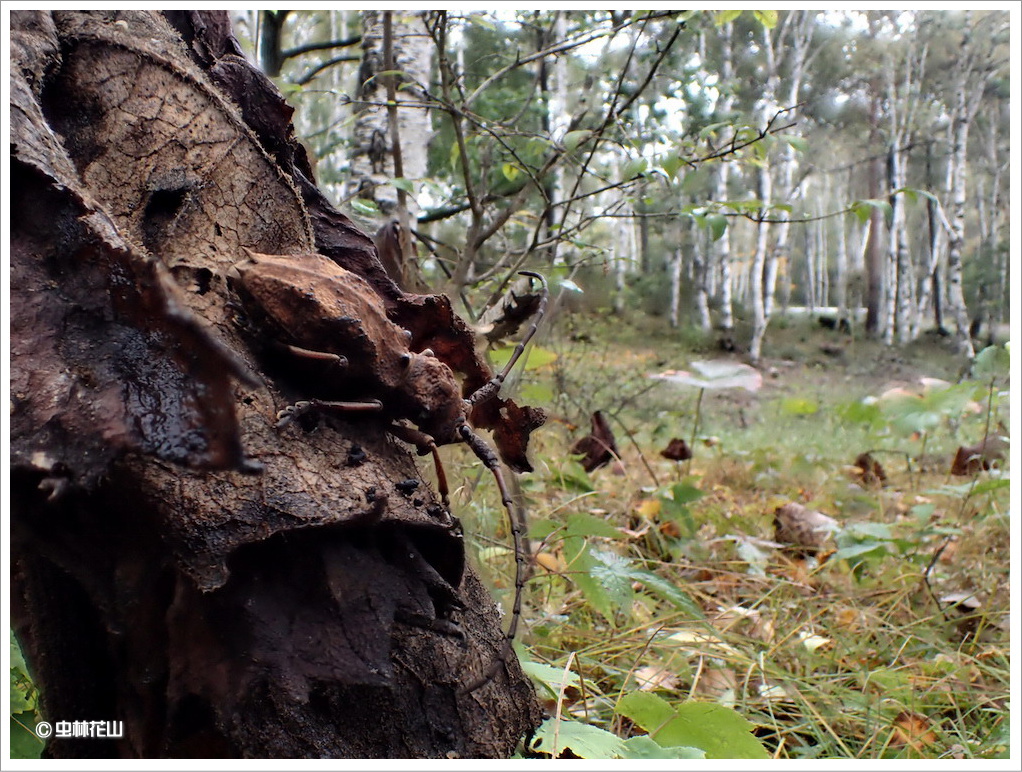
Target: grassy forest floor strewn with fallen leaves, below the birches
{"x":661,"y":585}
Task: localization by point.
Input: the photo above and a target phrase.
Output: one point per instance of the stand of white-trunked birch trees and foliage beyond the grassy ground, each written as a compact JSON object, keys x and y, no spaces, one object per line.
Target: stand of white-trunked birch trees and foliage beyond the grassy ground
{"x":707,"y":169}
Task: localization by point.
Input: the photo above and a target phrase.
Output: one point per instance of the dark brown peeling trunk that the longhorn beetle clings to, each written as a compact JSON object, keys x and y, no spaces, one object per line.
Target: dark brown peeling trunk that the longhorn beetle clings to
{"x":224,"y":588}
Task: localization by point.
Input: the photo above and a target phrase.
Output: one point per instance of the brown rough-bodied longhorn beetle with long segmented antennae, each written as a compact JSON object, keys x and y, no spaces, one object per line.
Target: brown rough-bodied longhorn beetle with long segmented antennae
{"x":321,"y":312}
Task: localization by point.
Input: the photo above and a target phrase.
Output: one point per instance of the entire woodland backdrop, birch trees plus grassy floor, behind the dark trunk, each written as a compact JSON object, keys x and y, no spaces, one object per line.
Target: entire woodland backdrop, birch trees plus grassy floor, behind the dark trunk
{"x":770,"y":510}
